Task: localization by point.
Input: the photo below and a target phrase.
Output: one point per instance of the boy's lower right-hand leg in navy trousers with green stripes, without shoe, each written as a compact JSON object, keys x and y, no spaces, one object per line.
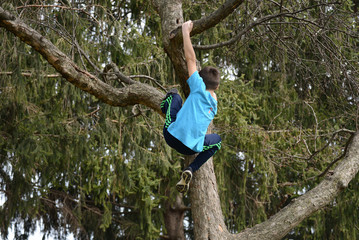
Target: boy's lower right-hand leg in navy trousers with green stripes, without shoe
{"x":212,"y":143}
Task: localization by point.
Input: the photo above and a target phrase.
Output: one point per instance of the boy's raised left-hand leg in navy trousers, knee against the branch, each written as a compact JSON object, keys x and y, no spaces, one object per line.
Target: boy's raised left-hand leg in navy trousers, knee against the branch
{"x":170,"y":106}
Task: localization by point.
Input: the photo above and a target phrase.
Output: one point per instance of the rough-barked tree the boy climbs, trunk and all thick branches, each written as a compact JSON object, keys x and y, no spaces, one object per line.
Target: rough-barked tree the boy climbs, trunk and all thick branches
{"x":206,"y":209}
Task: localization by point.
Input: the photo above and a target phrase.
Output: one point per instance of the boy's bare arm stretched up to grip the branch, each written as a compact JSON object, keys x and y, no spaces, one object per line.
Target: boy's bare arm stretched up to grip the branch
{"x":188,"y":49}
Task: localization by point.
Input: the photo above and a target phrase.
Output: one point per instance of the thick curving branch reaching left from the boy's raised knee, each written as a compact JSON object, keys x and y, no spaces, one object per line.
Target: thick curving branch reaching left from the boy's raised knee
{"x":137,"y":93}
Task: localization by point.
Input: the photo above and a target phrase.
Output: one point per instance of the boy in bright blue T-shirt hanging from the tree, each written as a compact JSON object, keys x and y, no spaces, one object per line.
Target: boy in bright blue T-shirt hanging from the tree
{"x":186,"y":126}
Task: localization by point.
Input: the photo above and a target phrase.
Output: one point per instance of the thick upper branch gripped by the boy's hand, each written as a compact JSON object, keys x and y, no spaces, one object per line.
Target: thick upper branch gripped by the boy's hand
{"x":209,"y":21}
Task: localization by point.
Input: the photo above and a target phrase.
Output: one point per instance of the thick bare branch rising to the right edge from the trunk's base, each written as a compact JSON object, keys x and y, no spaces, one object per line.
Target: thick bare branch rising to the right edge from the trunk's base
{"x":310,"y":202}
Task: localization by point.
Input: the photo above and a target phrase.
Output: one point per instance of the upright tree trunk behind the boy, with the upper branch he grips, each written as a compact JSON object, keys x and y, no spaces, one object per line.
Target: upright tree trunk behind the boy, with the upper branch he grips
{"x":205,"y":204}
